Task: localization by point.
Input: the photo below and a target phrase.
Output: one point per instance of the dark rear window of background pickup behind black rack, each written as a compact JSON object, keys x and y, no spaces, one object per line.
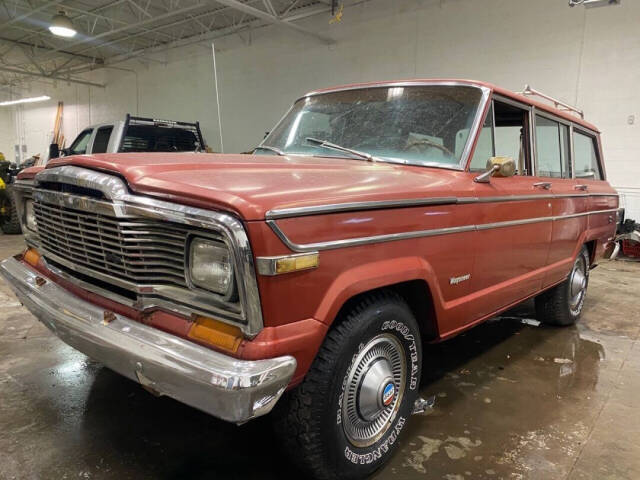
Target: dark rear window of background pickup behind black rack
{"x":143,"y":138}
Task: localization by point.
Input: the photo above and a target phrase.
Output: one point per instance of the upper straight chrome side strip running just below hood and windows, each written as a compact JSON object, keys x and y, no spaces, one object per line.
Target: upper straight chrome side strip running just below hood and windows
{"x":281,"y":213}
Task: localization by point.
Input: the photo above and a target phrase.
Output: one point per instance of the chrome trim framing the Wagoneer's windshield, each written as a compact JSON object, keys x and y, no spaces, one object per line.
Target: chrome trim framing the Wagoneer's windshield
{"x":473,"y":131}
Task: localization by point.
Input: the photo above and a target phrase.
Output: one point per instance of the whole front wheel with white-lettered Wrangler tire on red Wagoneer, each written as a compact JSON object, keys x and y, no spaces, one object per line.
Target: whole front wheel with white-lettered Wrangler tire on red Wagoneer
{"x":344,"y":420}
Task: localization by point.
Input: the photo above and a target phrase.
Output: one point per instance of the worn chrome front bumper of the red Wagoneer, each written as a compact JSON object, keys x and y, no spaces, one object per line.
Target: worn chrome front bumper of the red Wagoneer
{"x":231,"y":389}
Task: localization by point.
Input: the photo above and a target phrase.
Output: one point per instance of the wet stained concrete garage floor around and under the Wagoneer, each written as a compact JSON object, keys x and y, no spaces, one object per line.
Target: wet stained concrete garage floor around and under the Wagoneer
{"x":513,"y":401}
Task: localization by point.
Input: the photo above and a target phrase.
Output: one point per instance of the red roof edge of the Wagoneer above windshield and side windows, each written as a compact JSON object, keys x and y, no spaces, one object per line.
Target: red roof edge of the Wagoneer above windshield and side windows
{"x":493,"y":88}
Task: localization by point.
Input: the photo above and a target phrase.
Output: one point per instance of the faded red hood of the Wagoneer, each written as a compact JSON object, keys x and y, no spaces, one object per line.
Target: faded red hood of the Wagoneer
{"x":251,"y":185}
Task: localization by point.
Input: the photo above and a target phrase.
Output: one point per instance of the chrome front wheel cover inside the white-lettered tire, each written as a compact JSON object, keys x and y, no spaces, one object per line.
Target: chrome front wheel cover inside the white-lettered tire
{"x":375,"y":387}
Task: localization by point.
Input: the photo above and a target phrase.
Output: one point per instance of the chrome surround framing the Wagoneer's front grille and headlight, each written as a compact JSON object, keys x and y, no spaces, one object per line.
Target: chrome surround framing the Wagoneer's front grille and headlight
{"x":248,"y":318}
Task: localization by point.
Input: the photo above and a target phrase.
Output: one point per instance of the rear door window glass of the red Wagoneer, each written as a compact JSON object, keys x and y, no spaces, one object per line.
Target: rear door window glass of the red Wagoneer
{"x":552,"y":148}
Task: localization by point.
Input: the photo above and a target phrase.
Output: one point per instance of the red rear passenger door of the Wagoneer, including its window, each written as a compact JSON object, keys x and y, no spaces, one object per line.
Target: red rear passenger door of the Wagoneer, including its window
{"x":553,"y":161}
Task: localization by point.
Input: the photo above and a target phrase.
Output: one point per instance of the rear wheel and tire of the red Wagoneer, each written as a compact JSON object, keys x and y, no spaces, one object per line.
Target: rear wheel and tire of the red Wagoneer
{"x":562,"y":304}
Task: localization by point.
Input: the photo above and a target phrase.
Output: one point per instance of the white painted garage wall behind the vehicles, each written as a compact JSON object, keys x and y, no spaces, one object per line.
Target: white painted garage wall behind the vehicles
{"x":588,"y":57}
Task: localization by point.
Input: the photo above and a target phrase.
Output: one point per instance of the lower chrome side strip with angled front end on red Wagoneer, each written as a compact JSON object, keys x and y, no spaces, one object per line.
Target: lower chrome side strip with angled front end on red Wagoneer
{"x":359,"y":241}
